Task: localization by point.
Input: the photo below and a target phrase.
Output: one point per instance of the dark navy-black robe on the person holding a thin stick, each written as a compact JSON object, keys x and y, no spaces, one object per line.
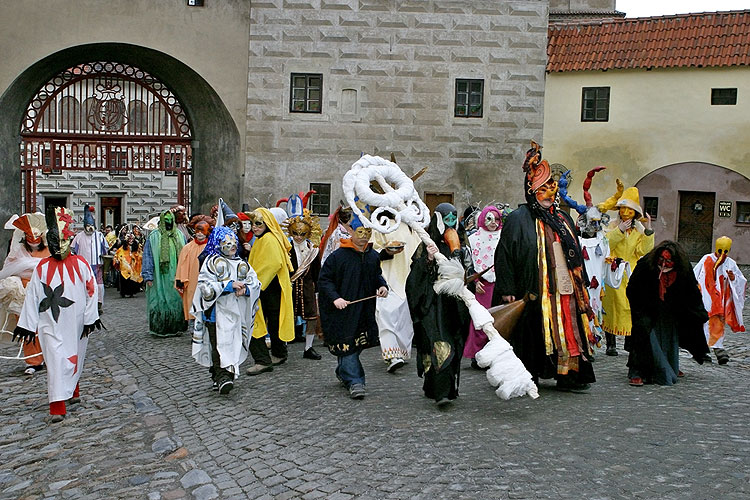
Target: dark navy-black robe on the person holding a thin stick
{"x":349,"y":274}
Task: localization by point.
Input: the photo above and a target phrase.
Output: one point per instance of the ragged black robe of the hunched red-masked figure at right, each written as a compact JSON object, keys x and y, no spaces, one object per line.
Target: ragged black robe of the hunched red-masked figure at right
{"x":681,"y":313}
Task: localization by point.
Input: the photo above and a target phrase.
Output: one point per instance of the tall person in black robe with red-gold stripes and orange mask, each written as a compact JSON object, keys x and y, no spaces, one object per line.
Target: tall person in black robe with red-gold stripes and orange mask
{"x":539,"y":254}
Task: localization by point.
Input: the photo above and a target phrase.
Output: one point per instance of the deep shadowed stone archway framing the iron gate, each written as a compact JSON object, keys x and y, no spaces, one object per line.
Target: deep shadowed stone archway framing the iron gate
{"x":217,"y":155}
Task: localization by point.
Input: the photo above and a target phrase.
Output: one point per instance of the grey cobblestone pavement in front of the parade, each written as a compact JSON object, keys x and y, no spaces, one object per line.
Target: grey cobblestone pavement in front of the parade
{"x":149,"y":426}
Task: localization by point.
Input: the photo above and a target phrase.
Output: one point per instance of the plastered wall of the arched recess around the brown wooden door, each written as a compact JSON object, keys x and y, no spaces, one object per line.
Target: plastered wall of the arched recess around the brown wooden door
{"x":668,"y":184}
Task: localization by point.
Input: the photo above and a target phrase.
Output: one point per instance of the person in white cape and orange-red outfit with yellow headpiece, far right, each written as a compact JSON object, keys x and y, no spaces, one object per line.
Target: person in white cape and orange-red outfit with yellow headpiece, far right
{"x":723,"y":290}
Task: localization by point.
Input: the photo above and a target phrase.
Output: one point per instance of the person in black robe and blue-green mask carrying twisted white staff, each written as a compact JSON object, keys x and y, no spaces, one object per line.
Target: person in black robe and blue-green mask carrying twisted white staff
{"x":440,"y":321}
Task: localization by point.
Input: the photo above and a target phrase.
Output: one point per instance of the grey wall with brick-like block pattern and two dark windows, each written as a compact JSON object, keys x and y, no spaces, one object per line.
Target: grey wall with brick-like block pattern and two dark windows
{"x":389,"y":70}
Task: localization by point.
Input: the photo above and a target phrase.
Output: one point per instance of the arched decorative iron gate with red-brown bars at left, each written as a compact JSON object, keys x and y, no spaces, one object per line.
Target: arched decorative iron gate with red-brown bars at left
{"x":105,"y":116}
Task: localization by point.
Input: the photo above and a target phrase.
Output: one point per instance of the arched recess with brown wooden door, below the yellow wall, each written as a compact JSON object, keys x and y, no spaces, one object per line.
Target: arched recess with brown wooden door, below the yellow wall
{"x":696,"y":202}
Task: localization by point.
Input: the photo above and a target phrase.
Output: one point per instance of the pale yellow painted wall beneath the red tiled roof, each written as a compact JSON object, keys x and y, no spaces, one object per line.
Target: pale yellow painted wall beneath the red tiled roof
{"x":657,"y":118}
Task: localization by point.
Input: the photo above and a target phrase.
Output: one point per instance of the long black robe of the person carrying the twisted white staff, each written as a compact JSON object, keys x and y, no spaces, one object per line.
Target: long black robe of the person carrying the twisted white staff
{"x":440,"y":327}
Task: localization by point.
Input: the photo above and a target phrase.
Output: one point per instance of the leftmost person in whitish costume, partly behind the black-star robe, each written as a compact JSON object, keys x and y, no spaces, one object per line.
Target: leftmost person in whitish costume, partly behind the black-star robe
{"x":26,"y":251}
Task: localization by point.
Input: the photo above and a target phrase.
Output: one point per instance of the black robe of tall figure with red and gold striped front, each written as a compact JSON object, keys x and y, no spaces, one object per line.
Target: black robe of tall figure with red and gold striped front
{"x":516,"y":273}
